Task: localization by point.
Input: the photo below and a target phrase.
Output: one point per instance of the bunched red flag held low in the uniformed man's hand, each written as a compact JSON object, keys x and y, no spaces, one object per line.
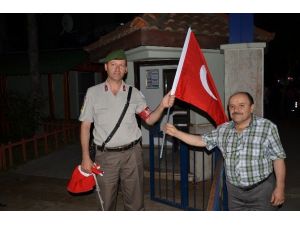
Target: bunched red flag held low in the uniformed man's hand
{"x":80,"y":181}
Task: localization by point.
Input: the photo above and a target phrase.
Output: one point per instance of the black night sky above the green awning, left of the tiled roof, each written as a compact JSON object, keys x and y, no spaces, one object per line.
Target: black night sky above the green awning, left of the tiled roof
{"x":87,"y":28}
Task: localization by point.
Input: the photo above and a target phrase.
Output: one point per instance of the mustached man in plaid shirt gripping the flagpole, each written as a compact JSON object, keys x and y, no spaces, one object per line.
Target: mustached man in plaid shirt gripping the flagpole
{"x":253,"y":155}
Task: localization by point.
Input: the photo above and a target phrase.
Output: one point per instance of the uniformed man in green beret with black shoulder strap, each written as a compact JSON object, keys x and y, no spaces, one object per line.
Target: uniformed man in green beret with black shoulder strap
{"x":121,"y":158}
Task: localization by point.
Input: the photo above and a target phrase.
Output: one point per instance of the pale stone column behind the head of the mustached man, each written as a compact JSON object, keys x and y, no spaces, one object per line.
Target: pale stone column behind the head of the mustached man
{"x":244,"y":71}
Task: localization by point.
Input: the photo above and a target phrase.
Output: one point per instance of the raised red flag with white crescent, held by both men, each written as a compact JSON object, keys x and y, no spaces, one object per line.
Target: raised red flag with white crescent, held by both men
{"x":193,"y":82}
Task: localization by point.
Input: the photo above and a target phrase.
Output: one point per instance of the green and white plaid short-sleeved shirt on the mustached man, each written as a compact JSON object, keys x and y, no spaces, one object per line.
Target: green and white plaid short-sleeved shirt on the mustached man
{"x":248,"y":155}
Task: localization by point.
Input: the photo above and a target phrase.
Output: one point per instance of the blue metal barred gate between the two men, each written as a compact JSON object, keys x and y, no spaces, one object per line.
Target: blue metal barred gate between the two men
{"x":174,"y":179}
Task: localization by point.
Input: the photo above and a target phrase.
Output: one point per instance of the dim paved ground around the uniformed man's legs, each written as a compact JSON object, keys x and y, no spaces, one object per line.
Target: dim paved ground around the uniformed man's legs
{"x":41,"y":185}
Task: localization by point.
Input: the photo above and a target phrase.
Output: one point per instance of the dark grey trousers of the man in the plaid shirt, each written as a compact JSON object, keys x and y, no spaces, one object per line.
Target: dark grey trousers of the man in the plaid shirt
{"x":256,"y":199}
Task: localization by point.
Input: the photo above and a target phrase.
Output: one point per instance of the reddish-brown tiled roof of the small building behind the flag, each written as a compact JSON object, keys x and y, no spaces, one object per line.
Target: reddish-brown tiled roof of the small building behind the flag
{"x":211,"y":29}
